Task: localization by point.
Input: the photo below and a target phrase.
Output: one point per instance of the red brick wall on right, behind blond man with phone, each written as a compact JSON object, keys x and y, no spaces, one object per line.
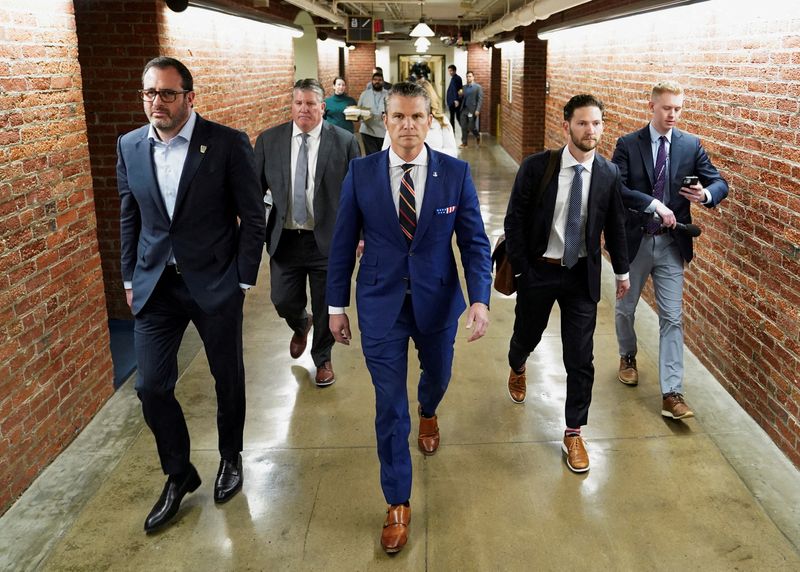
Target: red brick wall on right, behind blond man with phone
{"x":741,"y":301}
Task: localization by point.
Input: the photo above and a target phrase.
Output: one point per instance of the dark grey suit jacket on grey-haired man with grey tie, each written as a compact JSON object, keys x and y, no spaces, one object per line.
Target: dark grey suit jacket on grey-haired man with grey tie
{"x":274,"y":163}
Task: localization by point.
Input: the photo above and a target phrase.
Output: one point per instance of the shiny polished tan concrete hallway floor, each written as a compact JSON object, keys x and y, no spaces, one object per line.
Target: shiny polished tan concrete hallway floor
{"x":710,"y":493}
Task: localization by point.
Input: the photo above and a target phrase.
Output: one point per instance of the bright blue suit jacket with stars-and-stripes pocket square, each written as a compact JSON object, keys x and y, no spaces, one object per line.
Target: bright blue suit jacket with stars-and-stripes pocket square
{"x":388,"y":267}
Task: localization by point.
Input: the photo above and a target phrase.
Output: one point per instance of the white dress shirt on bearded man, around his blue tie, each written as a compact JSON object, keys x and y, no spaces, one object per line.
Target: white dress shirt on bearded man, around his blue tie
{"x":555,"y":243}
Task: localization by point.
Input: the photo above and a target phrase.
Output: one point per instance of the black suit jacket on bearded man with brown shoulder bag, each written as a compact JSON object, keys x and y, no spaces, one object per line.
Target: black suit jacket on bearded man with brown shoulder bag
{"x":527,"y":225}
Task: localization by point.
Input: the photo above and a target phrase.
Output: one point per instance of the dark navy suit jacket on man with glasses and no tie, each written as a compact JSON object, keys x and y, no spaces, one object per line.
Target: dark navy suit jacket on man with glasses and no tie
{"x":217,"y":229}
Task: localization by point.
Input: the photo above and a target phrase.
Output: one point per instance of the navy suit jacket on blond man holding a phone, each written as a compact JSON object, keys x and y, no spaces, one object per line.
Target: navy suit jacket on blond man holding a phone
{"x":634,"y":157}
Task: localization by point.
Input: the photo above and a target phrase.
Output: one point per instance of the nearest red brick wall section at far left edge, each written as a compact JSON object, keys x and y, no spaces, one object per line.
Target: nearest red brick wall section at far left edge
{"x":55,"y":364}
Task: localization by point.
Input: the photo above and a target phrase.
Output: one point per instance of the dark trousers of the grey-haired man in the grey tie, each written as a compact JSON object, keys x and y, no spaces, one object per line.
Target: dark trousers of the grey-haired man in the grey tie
{"x":297,"y":260}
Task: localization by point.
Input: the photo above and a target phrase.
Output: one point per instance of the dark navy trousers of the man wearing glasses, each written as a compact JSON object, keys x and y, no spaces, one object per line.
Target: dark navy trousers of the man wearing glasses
{"x":158,"y":331}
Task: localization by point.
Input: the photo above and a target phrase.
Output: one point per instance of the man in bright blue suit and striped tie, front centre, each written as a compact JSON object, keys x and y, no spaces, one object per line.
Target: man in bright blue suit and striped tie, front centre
{"x":407,"y":201}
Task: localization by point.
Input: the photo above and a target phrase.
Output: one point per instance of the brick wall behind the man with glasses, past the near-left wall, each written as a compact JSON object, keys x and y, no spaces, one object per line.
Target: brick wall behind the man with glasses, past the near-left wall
{"x":243,"y":73}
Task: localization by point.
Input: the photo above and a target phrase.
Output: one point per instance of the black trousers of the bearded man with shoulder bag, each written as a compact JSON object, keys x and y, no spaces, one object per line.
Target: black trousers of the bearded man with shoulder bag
{"x":546,"y":284}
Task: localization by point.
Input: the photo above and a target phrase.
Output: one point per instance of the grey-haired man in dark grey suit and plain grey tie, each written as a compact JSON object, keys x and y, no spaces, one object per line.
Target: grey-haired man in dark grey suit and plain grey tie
{"x":302,"y":163}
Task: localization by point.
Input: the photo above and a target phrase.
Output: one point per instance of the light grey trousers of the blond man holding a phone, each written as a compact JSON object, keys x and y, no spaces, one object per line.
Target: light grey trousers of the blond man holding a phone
{"x":659,"y":257}
